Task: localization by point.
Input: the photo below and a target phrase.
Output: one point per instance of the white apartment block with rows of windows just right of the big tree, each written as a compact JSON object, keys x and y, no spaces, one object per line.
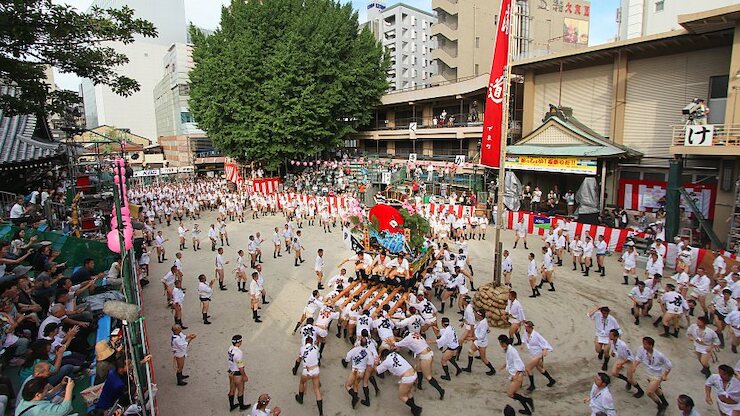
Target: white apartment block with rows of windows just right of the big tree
{"x":406,"y":33}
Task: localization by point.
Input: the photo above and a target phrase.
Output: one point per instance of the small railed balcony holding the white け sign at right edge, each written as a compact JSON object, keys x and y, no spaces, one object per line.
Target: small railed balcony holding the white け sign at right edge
{"x":725,"y":142}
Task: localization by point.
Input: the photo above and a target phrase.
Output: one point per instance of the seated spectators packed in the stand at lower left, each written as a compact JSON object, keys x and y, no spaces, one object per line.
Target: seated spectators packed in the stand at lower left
{"x":49,"y":312}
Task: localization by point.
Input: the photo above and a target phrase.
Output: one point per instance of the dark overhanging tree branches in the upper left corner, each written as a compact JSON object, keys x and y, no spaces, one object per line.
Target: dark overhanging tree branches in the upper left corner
{"x":36,"y":34}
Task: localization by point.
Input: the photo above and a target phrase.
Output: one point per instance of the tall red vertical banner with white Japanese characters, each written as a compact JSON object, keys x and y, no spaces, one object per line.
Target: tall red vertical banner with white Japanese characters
{"x":491,"y":146}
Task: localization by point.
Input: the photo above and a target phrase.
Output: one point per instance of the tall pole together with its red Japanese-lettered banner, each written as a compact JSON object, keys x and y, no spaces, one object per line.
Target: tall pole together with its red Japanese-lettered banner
{"x":496,"y":122}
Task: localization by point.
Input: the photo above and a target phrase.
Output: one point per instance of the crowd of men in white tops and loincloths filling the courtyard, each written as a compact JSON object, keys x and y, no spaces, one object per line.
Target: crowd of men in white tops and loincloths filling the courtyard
{"x":387,"y":307}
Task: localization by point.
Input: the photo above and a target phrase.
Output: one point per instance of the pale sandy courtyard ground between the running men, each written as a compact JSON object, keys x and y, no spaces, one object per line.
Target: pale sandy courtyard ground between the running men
{"x":270,"y":348}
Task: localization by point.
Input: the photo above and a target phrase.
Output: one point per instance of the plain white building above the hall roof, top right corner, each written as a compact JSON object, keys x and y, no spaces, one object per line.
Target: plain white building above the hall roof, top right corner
{"x":637,"y":18}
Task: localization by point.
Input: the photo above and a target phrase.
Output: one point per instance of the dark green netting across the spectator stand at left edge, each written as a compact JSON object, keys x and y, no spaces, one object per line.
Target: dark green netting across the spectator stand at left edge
{"x":73,"y":250}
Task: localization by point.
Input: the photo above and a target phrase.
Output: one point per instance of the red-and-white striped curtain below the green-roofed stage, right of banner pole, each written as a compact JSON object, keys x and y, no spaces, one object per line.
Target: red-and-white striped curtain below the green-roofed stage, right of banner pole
{"x":615,"y":237}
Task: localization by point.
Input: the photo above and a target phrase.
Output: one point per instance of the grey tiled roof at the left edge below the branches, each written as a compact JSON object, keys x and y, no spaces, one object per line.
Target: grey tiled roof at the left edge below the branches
{"x":18,"y":143}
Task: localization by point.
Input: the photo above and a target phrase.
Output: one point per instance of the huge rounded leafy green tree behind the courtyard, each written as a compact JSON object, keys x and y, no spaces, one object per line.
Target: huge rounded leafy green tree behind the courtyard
{"x":285,"y":78}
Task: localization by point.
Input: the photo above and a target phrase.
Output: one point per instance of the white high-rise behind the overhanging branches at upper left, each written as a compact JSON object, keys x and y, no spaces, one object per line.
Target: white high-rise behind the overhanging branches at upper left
{"x":136,"y":112}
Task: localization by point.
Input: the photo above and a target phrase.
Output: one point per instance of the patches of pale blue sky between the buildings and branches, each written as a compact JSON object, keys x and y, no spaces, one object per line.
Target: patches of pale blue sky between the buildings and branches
{"x":206,"y":13}
